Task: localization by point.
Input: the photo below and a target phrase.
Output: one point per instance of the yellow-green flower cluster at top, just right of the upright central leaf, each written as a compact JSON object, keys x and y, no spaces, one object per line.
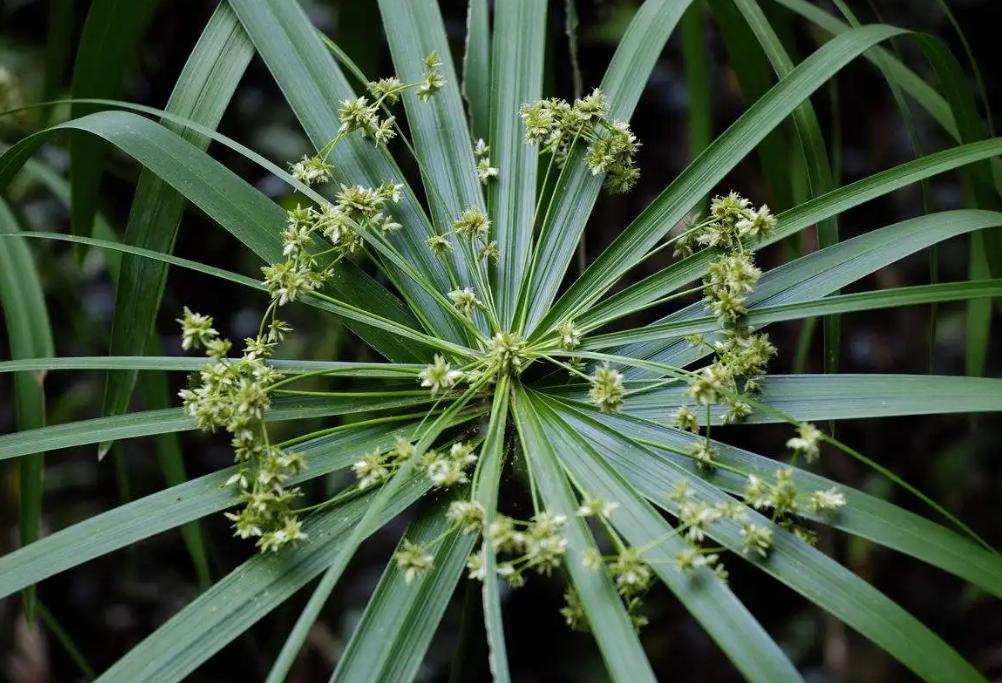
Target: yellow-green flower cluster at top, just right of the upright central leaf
{"x":558,"y":125}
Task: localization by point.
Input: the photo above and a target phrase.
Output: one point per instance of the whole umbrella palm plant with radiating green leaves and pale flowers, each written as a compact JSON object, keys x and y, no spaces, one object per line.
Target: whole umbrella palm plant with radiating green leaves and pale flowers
{"x":493,"y":361}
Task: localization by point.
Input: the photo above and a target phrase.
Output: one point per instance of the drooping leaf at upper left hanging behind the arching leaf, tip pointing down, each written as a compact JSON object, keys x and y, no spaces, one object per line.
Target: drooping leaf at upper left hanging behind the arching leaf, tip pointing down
{"x":203,"y":93}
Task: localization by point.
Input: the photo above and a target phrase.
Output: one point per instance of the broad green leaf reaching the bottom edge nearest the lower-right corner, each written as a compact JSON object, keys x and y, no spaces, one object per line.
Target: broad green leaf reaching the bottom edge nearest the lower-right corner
{"x":795,"y":563}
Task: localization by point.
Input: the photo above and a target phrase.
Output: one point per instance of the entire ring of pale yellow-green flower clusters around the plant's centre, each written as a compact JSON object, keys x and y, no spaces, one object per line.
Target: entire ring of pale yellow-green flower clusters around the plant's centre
{"x":236,"y":394}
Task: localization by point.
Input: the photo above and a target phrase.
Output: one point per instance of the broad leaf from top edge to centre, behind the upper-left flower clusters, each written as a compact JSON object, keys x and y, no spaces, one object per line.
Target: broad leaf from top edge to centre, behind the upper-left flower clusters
{"x":314,"y":86}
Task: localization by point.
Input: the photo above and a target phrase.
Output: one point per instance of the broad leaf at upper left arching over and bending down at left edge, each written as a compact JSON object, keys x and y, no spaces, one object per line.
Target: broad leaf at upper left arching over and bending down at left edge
{"x":243,"y":211}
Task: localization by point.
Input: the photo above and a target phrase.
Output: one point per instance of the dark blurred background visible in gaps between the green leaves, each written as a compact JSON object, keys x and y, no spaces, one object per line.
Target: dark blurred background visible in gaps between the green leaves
{"x":112,"y":603}
